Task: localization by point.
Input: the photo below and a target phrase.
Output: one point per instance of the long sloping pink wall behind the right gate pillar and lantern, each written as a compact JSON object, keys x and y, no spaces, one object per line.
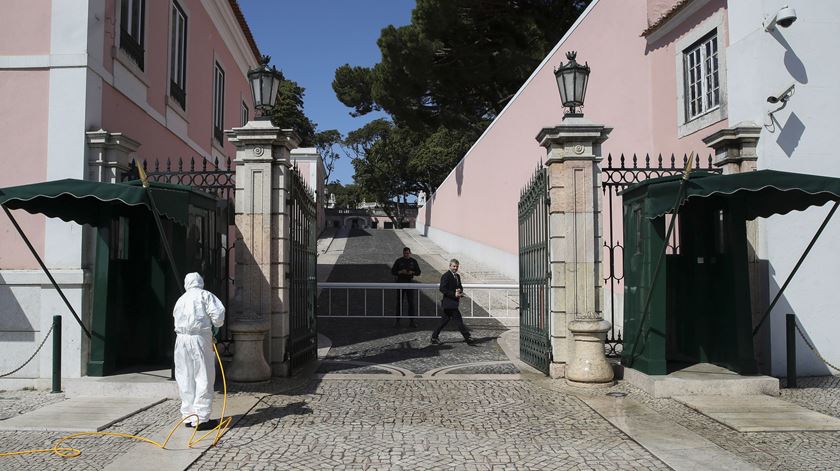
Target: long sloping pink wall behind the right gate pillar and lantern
{"x":631,"y":89}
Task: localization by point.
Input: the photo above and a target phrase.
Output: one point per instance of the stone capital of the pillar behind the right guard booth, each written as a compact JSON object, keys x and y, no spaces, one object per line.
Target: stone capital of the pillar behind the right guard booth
{"x":735,"y":147}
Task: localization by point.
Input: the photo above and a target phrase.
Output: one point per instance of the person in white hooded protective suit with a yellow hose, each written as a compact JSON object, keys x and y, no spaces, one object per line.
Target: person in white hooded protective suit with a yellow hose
{"x":195,"y":370}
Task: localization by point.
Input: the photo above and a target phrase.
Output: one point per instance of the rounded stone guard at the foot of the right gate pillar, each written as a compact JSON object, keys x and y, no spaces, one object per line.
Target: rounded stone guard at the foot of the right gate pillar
{"x":589,"y":366}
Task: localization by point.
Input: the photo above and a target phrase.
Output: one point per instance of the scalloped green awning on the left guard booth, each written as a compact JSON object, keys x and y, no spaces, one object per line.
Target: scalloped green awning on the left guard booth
{"x":94,"y":203}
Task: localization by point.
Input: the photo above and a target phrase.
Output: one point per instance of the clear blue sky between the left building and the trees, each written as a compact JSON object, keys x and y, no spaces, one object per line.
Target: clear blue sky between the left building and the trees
{"x":309,"y":39}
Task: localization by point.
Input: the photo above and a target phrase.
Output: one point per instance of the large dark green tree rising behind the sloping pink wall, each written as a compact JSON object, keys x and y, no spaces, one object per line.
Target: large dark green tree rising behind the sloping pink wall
{"x":442,"y":79}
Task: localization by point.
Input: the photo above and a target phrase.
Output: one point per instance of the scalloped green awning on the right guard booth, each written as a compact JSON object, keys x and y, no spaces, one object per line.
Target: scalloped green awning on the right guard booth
{"x":761,"y":193}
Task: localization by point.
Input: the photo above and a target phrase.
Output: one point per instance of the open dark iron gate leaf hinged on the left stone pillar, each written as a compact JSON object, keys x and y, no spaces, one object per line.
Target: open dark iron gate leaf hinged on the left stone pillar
{"x":303,"y":344}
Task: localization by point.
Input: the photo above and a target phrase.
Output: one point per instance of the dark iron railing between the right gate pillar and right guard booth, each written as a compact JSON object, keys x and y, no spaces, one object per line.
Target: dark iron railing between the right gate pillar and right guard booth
{"x":616,"y":176}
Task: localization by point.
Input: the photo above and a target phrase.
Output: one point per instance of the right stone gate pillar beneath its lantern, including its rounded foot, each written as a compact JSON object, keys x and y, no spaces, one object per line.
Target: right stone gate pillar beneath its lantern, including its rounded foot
{"x":578,"y":329}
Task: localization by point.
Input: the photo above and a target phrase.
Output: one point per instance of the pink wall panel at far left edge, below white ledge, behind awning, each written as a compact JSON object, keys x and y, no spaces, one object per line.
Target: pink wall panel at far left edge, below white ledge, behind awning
{"x":24,"y":139}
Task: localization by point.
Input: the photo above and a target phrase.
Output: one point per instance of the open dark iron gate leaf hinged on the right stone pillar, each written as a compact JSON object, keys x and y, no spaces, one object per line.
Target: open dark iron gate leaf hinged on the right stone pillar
{"x":534,"y":273}
